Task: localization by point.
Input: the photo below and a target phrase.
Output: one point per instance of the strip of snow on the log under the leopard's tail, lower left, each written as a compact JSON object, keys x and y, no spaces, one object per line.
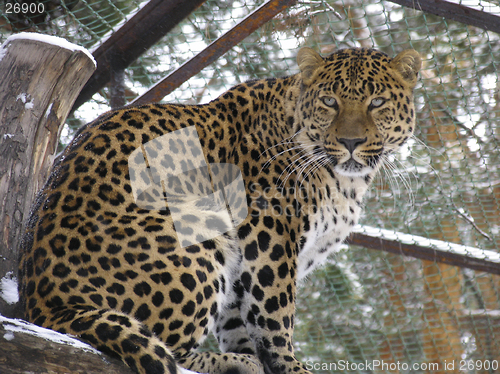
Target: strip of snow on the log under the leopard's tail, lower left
{"x":13,"y":326}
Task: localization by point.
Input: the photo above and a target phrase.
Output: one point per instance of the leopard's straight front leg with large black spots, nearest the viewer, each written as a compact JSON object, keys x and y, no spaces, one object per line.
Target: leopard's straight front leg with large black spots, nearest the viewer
{"x":268,"y":277}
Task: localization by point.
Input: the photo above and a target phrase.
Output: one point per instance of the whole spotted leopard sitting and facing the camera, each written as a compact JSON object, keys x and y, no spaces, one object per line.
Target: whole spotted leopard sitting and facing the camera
{"x":162,"y":223}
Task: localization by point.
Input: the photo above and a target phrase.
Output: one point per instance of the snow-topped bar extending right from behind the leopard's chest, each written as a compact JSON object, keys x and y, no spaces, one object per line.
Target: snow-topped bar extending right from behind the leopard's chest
{"x":437,"y":251}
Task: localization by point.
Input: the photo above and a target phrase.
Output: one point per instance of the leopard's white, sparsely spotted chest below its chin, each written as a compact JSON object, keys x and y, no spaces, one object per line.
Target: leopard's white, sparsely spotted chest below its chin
{"x":328,"y":227}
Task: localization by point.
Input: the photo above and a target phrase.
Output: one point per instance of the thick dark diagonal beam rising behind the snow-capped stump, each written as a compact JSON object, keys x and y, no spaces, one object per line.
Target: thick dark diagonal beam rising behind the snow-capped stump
{"x":135,"y":37}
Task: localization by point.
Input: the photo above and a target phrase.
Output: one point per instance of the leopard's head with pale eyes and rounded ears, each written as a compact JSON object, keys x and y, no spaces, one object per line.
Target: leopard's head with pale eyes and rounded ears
{"x":355,"y":107}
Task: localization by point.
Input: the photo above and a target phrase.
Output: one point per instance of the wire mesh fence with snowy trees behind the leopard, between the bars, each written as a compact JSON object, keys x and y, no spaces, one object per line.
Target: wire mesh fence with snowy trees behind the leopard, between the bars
{"x":364,"y":307}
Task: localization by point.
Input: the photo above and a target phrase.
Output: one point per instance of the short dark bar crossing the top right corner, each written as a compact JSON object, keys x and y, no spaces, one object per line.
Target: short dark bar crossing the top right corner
{"x":456,"y":12}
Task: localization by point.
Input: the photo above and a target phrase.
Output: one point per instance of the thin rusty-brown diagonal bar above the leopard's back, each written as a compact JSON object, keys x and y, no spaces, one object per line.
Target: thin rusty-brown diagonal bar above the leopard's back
{"x":210,"y":54}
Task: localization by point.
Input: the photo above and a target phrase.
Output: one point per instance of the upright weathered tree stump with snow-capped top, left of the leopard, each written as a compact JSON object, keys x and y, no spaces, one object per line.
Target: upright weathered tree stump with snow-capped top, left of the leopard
{"x":41,"y":77}
